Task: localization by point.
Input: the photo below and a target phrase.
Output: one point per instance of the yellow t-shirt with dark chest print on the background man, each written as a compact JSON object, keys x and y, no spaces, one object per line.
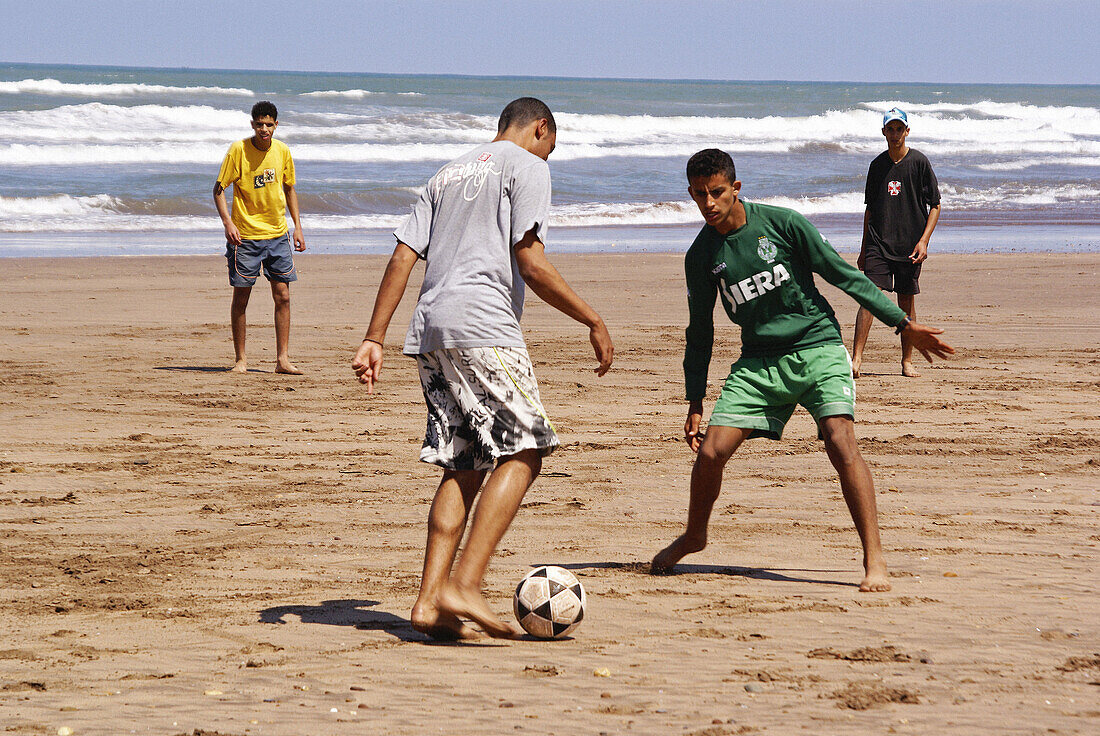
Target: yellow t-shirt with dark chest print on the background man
{"x":258,"y":179}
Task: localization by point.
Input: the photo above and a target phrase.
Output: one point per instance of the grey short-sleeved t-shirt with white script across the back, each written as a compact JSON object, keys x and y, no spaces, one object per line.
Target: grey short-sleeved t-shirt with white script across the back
{"x":471,"y":214}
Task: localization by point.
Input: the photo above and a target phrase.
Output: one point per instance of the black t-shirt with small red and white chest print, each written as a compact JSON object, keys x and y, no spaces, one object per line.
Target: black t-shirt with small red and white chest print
{"x":899,"y":197}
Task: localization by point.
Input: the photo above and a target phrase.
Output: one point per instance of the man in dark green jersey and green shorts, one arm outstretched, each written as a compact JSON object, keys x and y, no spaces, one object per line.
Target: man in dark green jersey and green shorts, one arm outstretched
{"x":762,"y":260}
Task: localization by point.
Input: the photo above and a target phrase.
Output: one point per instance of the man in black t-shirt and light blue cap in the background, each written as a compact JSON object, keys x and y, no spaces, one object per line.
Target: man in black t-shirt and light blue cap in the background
{"x":903,"y":203}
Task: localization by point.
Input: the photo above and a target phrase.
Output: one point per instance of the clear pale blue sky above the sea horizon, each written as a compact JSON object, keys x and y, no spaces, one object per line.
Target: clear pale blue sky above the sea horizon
{"x":958,"y":41}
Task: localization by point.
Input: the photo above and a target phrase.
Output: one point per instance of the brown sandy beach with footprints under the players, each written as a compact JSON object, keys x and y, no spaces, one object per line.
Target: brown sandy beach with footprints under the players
{"x":188,"y":551}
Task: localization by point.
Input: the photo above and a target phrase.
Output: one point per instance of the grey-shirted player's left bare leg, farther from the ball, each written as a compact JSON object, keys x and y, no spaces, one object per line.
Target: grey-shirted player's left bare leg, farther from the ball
{"x":446,"y":524}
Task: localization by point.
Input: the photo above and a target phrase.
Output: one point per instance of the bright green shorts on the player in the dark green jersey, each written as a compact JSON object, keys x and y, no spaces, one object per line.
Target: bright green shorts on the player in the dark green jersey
{"x":762,"y":393}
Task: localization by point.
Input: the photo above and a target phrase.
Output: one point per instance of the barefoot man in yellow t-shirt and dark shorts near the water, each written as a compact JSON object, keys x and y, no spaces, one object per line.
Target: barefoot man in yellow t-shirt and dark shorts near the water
{"x":261,"y":171}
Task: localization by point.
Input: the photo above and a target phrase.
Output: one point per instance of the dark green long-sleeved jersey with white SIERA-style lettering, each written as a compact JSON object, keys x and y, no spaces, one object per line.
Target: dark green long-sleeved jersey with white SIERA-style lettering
{"x":765,"y":273}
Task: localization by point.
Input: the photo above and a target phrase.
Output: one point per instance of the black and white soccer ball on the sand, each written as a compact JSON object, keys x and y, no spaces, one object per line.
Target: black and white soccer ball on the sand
{"x":549,"y":602}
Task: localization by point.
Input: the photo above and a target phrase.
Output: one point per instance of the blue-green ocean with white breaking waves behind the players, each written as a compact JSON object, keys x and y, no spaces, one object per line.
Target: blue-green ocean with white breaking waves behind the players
{"x":98,"y":161}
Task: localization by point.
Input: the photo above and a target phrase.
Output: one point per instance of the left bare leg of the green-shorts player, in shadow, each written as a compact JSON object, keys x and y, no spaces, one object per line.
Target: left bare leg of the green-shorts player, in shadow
{"x":719,"y":446}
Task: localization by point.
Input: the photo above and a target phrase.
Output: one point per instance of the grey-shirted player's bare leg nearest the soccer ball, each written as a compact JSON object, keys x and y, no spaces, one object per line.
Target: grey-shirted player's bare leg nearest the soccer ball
{"x":498,"y":507}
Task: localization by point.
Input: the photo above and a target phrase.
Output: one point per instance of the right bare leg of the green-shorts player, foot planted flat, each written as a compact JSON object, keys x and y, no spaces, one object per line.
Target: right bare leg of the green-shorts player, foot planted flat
{"x":859,"y":488}
